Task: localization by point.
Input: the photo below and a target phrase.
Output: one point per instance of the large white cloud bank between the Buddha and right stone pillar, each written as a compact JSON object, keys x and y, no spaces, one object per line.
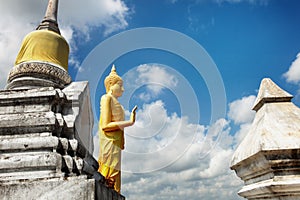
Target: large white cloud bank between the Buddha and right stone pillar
{"x":192,"y":163}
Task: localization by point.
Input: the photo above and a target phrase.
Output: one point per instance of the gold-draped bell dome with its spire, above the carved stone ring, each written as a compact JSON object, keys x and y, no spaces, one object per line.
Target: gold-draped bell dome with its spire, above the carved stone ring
{"x":46,"y":43}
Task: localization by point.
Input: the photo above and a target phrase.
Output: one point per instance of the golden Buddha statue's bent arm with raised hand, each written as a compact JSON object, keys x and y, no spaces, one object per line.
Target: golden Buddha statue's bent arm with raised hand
{"x":107,"y":124}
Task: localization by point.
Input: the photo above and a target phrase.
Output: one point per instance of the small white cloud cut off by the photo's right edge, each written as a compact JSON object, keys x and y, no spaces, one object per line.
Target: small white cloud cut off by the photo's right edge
{"x":293,"y":74}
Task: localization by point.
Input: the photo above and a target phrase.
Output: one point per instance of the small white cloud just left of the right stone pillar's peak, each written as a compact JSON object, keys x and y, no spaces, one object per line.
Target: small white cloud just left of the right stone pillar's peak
{"x":240,"y":111}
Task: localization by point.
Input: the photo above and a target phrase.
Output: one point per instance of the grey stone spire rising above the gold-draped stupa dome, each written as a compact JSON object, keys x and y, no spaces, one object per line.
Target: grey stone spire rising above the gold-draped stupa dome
{"x":50,"y":20}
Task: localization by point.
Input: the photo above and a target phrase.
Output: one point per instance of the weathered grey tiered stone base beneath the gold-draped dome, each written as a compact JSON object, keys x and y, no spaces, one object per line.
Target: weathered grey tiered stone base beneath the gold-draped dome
{"x":45,"y":145}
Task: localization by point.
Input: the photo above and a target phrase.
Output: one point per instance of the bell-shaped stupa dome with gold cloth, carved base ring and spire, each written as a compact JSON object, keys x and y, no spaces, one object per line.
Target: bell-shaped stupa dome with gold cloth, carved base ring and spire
{"x":43,"y":57}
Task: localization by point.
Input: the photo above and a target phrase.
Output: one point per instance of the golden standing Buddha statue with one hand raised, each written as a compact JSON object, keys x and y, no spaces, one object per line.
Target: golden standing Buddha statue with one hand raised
{"x":111,"y":130}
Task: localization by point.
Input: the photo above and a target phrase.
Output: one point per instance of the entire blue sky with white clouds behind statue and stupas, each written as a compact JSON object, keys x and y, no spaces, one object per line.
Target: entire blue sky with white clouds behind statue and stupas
{"x":176,"y":149}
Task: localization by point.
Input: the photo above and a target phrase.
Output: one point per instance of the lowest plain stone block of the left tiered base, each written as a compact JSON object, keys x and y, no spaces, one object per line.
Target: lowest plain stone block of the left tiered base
{"x":70,"y":188}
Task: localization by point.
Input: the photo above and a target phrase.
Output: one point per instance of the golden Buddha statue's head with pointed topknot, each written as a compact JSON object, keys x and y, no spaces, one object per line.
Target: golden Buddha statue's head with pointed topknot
{"x":114,"y":83}
